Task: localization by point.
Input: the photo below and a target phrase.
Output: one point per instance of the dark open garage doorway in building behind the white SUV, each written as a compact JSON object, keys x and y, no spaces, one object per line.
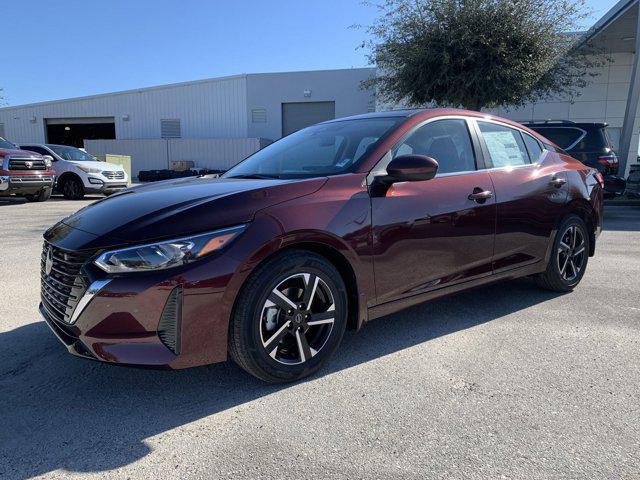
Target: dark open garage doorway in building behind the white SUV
{"x":74,"y":131}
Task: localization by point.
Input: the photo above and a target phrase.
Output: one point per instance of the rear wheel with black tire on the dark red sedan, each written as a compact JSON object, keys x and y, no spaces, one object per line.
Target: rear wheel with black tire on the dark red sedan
{"x":557,"y":276}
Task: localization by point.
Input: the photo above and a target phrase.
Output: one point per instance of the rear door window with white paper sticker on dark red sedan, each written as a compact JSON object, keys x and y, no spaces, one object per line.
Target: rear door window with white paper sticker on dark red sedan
{"x":505,"y":145}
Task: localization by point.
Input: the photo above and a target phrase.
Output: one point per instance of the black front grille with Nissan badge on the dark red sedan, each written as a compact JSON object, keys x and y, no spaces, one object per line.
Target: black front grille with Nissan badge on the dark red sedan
{"x":63,"y":286}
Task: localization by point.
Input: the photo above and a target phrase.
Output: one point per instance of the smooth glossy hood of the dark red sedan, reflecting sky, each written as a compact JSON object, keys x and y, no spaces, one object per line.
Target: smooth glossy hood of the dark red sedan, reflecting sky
{"x":173,"y":208}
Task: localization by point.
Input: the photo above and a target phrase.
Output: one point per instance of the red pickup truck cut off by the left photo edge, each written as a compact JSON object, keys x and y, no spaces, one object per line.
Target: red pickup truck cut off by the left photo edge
{"x":25,"y":174}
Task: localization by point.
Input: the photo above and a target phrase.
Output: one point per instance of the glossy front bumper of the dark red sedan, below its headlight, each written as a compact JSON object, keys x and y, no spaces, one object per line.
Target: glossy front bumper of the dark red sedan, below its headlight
{"x":125,"y":321}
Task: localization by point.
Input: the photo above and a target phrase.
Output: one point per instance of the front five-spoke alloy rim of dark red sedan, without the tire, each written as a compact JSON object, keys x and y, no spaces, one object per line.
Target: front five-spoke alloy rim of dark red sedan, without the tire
{"x":297,"y":318}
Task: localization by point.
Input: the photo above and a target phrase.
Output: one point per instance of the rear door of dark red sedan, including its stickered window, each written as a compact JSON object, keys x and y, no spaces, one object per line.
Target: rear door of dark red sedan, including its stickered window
{"x":530,"y":191}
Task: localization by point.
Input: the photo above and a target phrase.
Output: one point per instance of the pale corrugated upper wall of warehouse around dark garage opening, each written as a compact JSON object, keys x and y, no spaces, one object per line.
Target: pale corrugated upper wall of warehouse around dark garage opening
{"x":206,"y":109}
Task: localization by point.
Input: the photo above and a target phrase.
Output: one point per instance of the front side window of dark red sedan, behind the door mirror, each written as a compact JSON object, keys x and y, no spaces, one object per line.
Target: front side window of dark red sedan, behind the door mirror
{"x":446,"y":141}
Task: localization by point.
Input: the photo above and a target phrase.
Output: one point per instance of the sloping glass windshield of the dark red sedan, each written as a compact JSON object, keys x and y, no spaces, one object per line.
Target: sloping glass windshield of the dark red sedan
{"x":324,"y":149}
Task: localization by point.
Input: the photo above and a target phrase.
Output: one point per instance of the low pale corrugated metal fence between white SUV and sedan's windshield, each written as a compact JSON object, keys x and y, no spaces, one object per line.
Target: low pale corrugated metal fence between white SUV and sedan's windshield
{"x":156,"y":154}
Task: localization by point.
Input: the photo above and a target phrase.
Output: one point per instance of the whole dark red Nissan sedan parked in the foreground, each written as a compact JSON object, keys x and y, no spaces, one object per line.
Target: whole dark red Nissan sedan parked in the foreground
{"x":324,"y":230}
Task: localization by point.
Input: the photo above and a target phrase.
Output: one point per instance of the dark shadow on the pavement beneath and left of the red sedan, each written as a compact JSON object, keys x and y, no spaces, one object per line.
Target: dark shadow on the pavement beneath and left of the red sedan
{"x":61,"y":412}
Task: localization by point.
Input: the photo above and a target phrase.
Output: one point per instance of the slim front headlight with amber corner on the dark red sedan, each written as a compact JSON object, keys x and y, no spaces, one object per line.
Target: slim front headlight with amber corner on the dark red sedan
{"x":166,"y":254}
